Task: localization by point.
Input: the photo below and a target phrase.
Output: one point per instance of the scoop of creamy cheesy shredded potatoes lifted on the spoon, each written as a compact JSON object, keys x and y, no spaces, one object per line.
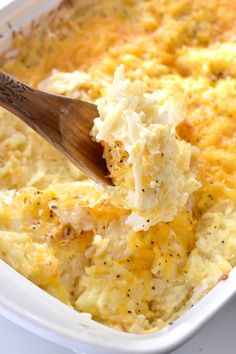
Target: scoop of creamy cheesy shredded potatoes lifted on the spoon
{"x":150,"y":166}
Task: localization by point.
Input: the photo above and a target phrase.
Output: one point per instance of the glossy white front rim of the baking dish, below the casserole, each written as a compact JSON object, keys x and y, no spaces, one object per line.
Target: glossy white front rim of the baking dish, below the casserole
{"x":163,"y":341}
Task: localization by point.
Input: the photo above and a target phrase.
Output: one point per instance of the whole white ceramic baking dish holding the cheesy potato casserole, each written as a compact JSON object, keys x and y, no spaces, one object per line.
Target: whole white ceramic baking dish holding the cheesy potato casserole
{"x":30,"y":307}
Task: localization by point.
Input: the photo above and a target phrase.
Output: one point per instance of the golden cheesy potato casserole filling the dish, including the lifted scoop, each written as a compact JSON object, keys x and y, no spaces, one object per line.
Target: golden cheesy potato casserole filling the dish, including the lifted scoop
{"x":140,"y":254}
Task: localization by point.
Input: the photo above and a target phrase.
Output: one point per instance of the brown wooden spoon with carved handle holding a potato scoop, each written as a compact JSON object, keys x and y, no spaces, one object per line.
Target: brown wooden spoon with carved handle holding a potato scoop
{"x":64,"y":122}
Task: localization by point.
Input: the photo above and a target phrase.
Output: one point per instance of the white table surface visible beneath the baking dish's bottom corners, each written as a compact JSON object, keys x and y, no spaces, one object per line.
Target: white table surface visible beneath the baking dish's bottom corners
{"x":217,"y":337}
